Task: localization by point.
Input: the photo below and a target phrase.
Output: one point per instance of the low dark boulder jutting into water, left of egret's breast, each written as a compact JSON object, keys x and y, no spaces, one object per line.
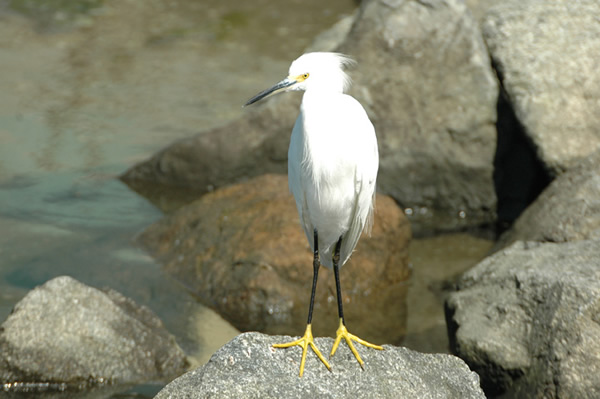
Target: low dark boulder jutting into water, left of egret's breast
{"x":247,"y":147}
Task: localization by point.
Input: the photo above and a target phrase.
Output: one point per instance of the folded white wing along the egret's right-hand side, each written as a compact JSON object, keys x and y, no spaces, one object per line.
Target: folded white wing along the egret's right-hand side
{"x":365,"y":179}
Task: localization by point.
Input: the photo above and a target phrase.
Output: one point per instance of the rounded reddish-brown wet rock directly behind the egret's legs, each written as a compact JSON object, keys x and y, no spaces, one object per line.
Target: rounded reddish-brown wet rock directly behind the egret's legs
{"x":242,"y":251}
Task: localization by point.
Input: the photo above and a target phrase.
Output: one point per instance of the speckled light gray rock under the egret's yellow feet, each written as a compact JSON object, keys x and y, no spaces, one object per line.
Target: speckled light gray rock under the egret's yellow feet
{"x":248,"y":367}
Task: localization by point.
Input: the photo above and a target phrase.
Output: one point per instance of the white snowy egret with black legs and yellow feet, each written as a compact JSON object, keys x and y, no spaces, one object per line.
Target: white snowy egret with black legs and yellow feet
{"x":332,"y":168}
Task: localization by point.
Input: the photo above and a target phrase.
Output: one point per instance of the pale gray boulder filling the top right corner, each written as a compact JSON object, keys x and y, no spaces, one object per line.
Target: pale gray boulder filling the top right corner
{"x":546,"y":55}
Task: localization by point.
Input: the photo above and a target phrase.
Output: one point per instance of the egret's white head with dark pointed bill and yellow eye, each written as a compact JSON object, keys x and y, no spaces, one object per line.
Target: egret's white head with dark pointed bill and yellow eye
{"x":313,"y":71}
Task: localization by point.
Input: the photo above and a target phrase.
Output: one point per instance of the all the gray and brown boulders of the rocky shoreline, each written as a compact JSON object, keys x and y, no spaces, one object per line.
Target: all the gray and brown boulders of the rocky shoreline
{"x":488,"y":116}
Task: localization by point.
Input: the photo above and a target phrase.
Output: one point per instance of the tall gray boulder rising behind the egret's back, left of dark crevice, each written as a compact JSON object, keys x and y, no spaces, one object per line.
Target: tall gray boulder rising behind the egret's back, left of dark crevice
{"x":424,"y":76}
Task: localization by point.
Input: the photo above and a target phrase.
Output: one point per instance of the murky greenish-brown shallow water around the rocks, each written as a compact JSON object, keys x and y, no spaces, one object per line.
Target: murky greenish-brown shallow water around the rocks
{"x":88,"y":91}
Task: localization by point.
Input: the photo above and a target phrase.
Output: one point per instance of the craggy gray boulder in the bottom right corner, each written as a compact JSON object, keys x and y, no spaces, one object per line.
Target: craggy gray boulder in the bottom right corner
{"x":526,"y":320}
